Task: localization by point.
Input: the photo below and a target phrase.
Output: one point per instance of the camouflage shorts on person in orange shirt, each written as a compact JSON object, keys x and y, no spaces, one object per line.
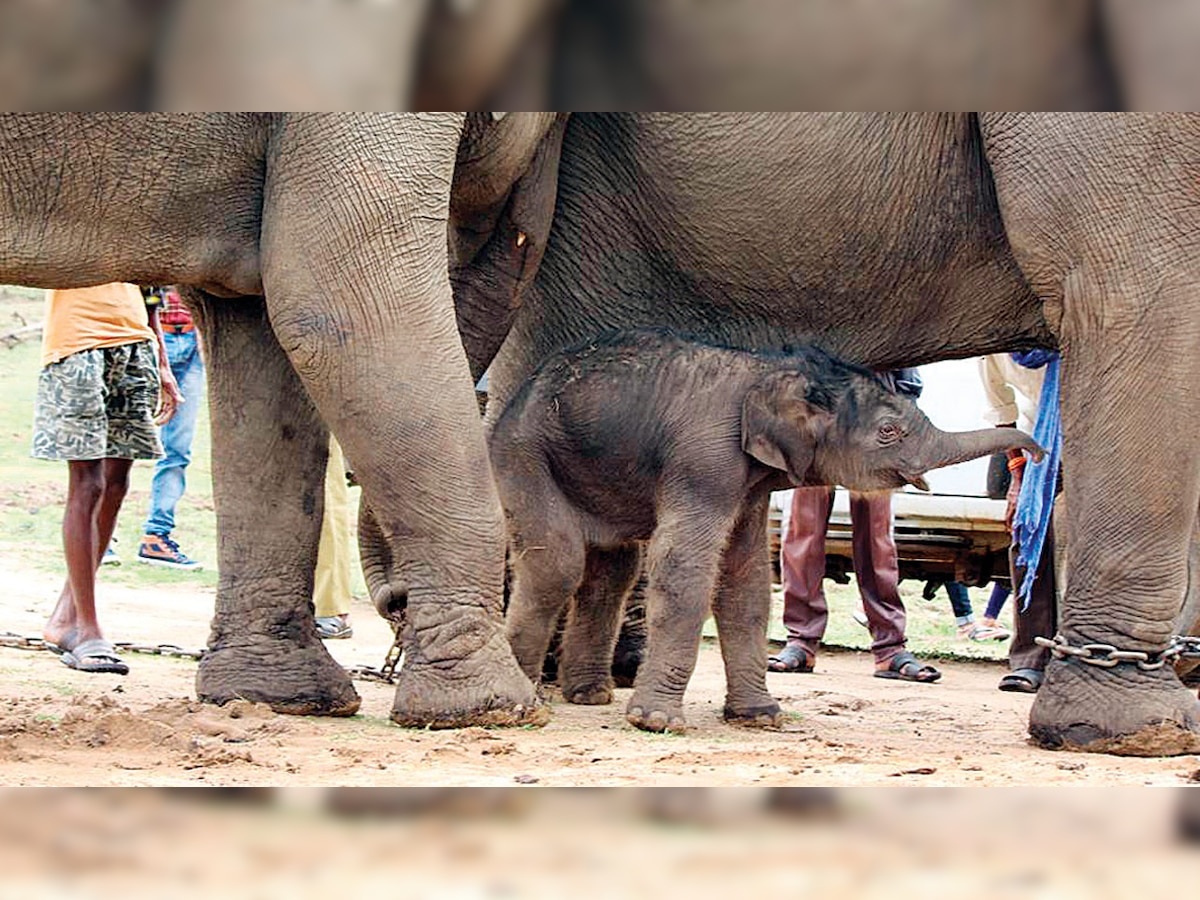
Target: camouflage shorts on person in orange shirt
{"x":99,"y":405}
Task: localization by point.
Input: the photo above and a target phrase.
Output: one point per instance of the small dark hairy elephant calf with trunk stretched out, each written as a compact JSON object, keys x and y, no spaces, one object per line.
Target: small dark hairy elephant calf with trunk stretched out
{"x":646,"y":439}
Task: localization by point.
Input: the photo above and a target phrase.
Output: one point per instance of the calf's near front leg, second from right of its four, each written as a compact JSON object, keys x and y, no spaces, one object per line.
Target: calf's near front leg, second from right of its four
{"x":685,"y":557}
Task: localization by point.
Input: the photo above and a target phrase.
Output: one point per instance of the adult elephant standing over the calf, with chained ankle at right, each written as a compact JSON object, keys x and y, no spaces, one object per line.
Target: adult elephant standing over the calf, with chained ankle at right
{"x":895,"y":241}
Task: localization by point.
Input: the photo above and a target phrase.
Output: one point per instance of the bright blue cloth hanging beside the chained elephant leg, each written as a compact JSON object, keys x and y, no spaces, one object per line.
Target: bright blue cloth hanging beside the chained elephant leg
{"x":1035,"y":505}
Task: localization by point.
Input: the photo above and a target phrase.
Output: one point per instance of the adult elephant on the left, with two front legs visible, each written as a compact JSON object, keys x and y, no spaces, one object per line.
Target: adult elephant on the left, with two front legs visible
{"x":319,"y":253}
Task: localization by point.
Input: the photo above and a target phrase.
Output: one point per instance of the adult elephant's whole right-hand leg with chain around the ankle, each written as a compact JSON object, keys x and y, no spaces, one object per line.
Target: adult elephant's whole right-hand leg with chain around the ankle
{"x":1102,"y":218}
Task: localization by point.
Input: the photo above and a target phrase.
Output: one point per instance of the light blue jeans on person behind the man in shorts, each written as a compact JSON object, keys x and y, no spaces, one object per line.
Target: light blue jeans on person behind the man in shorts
{"x":170,"y":481}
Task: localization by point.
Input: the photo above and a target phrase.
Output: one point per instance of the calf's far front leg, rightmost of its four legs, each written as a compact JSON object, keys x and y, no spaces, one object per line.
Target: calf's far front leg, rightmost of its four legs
{"x":742,"y":608}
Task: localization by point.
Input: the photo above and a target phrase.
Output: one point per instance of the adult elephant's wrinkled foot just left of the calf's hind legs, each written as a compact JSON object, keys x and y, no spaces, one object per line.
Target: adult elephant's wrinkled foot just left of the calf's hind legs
{"x":430,"y":697}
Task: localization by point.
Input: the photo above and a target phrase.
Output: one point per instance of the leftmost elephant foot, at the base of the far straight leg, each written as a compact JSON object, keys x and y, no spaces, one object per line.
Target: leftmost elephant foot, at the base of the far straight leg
{"x":292,"y":680}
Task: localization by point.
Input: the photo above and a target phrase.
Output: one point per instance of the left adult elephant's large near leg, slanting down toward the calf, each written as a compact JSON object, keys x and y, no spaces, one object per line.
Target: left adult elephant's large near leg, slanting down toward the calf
{"x":358,"y":287}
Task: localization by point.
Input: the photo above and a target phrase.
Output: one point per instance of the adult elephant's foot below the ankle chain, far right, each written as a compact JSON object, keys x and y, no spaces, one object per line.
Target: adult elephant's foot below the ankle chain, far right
{"x":1123,"y":711}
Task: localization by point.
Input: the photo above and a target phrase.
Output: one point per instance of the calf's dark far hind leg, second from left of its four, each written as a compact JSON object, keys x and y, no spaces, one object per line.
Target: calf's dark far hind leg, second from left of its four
{"x":586,"y":671}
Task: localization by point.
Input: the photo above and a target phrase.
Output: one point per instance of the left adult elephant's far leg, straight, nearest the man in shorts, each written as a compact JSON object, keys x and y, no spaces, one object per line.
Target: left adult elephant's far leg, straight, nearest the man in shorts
{"x":269,"y":452}
